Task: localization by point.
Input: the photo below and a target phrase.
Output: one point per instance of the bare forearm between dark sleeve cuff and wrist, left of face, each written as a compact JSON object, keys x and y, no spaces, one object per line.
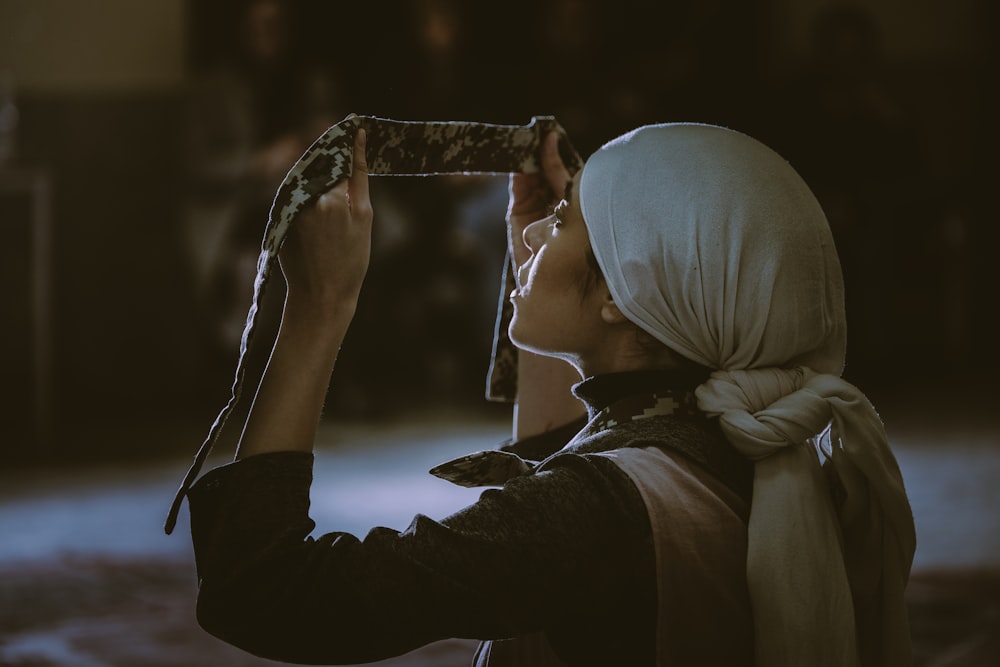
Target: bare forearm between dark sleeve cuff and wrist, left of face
{"x":289,"y":402}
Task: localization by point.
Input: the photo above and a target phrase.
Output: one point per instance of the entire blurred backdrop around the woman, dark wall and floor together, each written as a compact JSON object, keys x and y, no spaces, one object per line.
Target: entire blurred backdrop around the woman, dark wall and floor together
{"x":141,"y":142}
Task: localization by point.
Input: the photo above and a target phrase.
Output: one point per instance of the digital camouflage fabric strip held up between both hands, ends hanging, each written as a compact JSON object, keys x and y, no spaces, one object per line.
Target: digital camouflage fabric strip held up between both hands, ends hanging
{"x":394,"y":148}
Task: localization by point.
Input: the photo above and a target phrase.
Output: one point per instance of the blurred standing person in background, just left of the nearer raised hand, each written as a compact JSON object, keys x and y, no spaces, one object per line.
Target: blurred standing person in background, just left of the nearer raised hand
{"x":246,"y":121}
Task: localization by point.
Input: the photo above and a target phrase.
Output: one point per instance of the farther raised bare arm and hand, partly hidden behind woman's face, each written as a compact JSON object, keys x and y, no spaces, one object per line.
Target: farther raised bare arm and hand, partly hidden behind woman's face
{"x":544,"y":400}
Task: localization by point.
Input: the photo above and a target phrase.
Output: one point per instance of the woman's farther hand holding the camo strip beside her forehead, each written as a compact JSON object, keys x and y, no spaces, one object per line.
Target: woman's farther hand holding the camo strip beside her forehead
{"x":532,"y":196}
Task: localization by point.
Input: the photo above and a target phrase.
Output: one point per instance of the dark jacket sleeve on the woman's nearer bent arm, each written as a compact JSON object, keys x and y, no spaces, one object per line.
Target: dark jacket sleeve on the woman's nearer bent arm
{"x":509,"y":564}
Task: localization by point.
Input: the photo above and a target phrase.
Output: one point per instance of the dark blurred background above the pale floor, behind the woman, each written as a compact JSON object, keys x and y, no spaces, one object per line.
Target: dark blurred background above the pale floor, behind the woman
{"x":142,"y":142}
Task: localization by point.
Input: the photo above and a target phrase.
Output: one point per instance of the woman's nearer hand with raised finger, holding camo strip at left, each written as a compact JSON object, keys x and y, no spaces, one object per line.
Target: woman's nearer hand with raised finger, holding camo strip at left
{"x":325,"y":256}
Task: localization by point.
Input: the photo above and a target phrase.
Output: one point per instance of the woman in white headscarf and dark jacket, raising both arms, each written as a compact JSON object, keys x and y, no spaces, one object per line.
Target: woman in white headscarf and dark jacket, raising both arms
{"x":689,"y":277}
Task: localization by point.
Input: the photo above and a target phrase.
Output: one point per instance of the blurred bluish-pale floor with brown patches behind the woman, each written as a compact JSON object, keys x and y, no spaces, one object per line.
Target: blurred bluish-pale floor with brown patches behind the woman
{"x":96,"y":536}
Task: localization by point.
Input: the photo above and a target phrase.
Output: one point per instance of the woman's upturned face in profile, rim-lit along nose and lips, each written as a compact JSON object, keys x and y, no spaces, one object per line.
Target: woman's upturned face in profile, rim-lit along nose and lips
{"x":554,"y":312}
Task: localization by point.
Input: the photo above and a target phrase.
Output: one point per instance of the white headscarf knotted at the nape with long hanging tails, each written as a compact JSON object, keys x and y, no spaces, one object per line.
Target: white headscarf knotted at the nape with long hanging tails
{"x":714,"y":245}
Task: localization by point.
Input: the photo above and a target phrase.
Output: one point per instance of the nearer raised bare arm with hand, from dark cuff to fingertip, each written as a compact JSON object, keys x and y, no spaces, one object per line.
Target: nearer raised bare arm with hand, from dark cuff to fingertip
{"x":324,"y":260}
